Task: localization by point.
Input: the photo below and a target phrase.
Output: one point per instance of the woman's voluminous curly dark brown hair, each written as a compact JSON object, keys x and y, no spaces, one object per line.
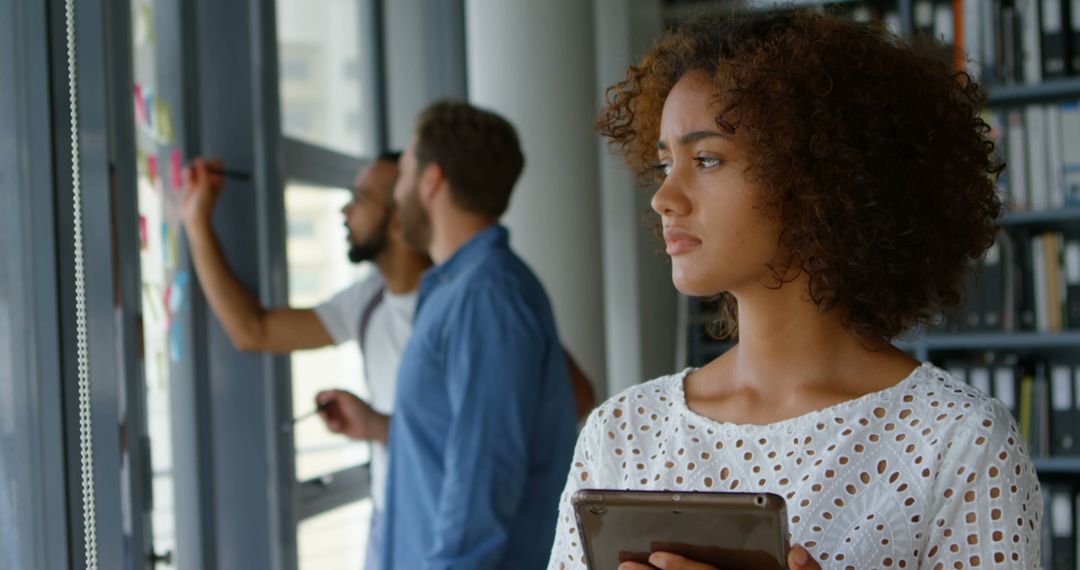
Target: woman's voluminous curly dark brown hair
{"x":871,"y":153}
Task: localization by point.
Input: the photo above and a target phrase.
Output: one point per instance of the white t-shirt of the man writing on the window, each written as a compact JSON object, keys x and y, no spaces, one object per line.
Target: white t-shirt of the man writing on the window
{"x":389,"y":328}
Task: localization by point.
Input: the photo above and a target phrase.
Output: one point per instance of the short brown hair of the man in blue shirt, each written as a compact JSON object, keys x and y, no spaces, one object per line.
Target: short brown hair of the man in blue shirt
{"x":478,"y":152}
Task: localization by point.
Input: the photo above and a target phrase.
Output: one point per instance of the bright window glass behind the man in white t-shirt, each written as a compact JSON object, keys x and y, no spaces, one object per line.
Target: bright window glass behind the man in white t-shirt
{"x":326,"y":75}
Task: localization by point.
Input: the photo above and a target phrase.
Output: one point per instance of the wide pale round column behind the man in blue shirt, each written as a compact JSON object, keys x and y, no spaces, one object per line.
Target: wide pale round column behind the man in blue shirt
{"x":534,"y":63}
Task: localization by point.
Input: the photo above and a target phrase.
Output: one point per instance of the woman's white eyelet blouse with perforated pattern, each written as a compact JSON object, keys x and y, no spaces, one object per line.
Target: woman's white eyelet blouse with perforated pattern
{"x":929,"y":473}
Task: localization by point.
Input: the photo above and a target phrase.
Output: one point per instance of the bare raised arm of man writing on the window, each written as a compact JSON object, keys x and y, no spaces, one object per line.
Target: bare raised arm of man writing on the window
{"x":250,"y":327}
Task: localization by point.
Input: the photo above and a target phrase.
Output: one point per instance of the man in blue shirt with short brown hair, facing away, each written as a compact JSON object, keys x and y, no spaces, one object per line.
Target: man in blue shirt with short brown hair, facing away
{"x":483,"y":432}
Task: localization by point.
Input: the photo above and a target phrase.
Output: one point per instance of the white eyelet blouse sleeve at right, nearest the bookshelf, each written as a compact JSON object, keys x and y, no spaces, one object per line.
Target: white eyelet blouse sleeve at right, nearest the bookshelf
{"x":991,"y":506}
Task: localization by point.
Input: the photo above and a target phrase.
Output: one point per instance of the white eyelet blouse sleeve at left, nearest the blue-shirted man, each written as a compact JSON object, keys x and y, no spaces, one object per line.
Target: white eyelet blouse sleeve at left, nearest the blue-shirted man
{"x":568,"y":552}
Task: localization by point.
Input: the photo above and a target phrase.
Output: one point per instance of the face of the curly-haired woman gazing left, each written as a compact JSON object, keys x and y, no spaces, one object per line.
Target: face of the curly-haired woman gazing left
{"x":718,"y":240}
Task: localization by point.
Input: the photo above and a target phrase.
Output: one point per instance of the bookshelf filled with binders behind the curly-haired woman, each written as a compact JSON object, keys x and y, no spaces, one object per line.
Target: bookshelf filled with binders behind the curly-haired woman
{"x":1034,"y":112}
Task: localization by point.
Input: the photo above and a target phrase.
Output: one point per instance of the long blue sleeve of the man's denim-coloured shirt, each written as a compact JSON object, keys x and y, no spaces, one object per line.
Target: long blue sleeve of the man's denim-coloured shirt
{"x":496,"y":358}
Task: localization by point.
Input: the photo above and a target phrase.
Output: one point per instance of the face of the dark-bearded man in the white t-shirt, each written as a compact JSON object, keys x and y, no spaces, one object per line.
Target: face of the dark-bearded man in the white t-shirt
{"x":368,"y":215}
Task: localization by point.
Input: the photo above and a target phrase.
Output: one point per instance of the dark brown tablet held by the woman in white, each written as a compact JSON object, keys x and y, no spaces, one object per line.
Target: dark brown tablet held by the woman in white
{"x":722,"y":530}
